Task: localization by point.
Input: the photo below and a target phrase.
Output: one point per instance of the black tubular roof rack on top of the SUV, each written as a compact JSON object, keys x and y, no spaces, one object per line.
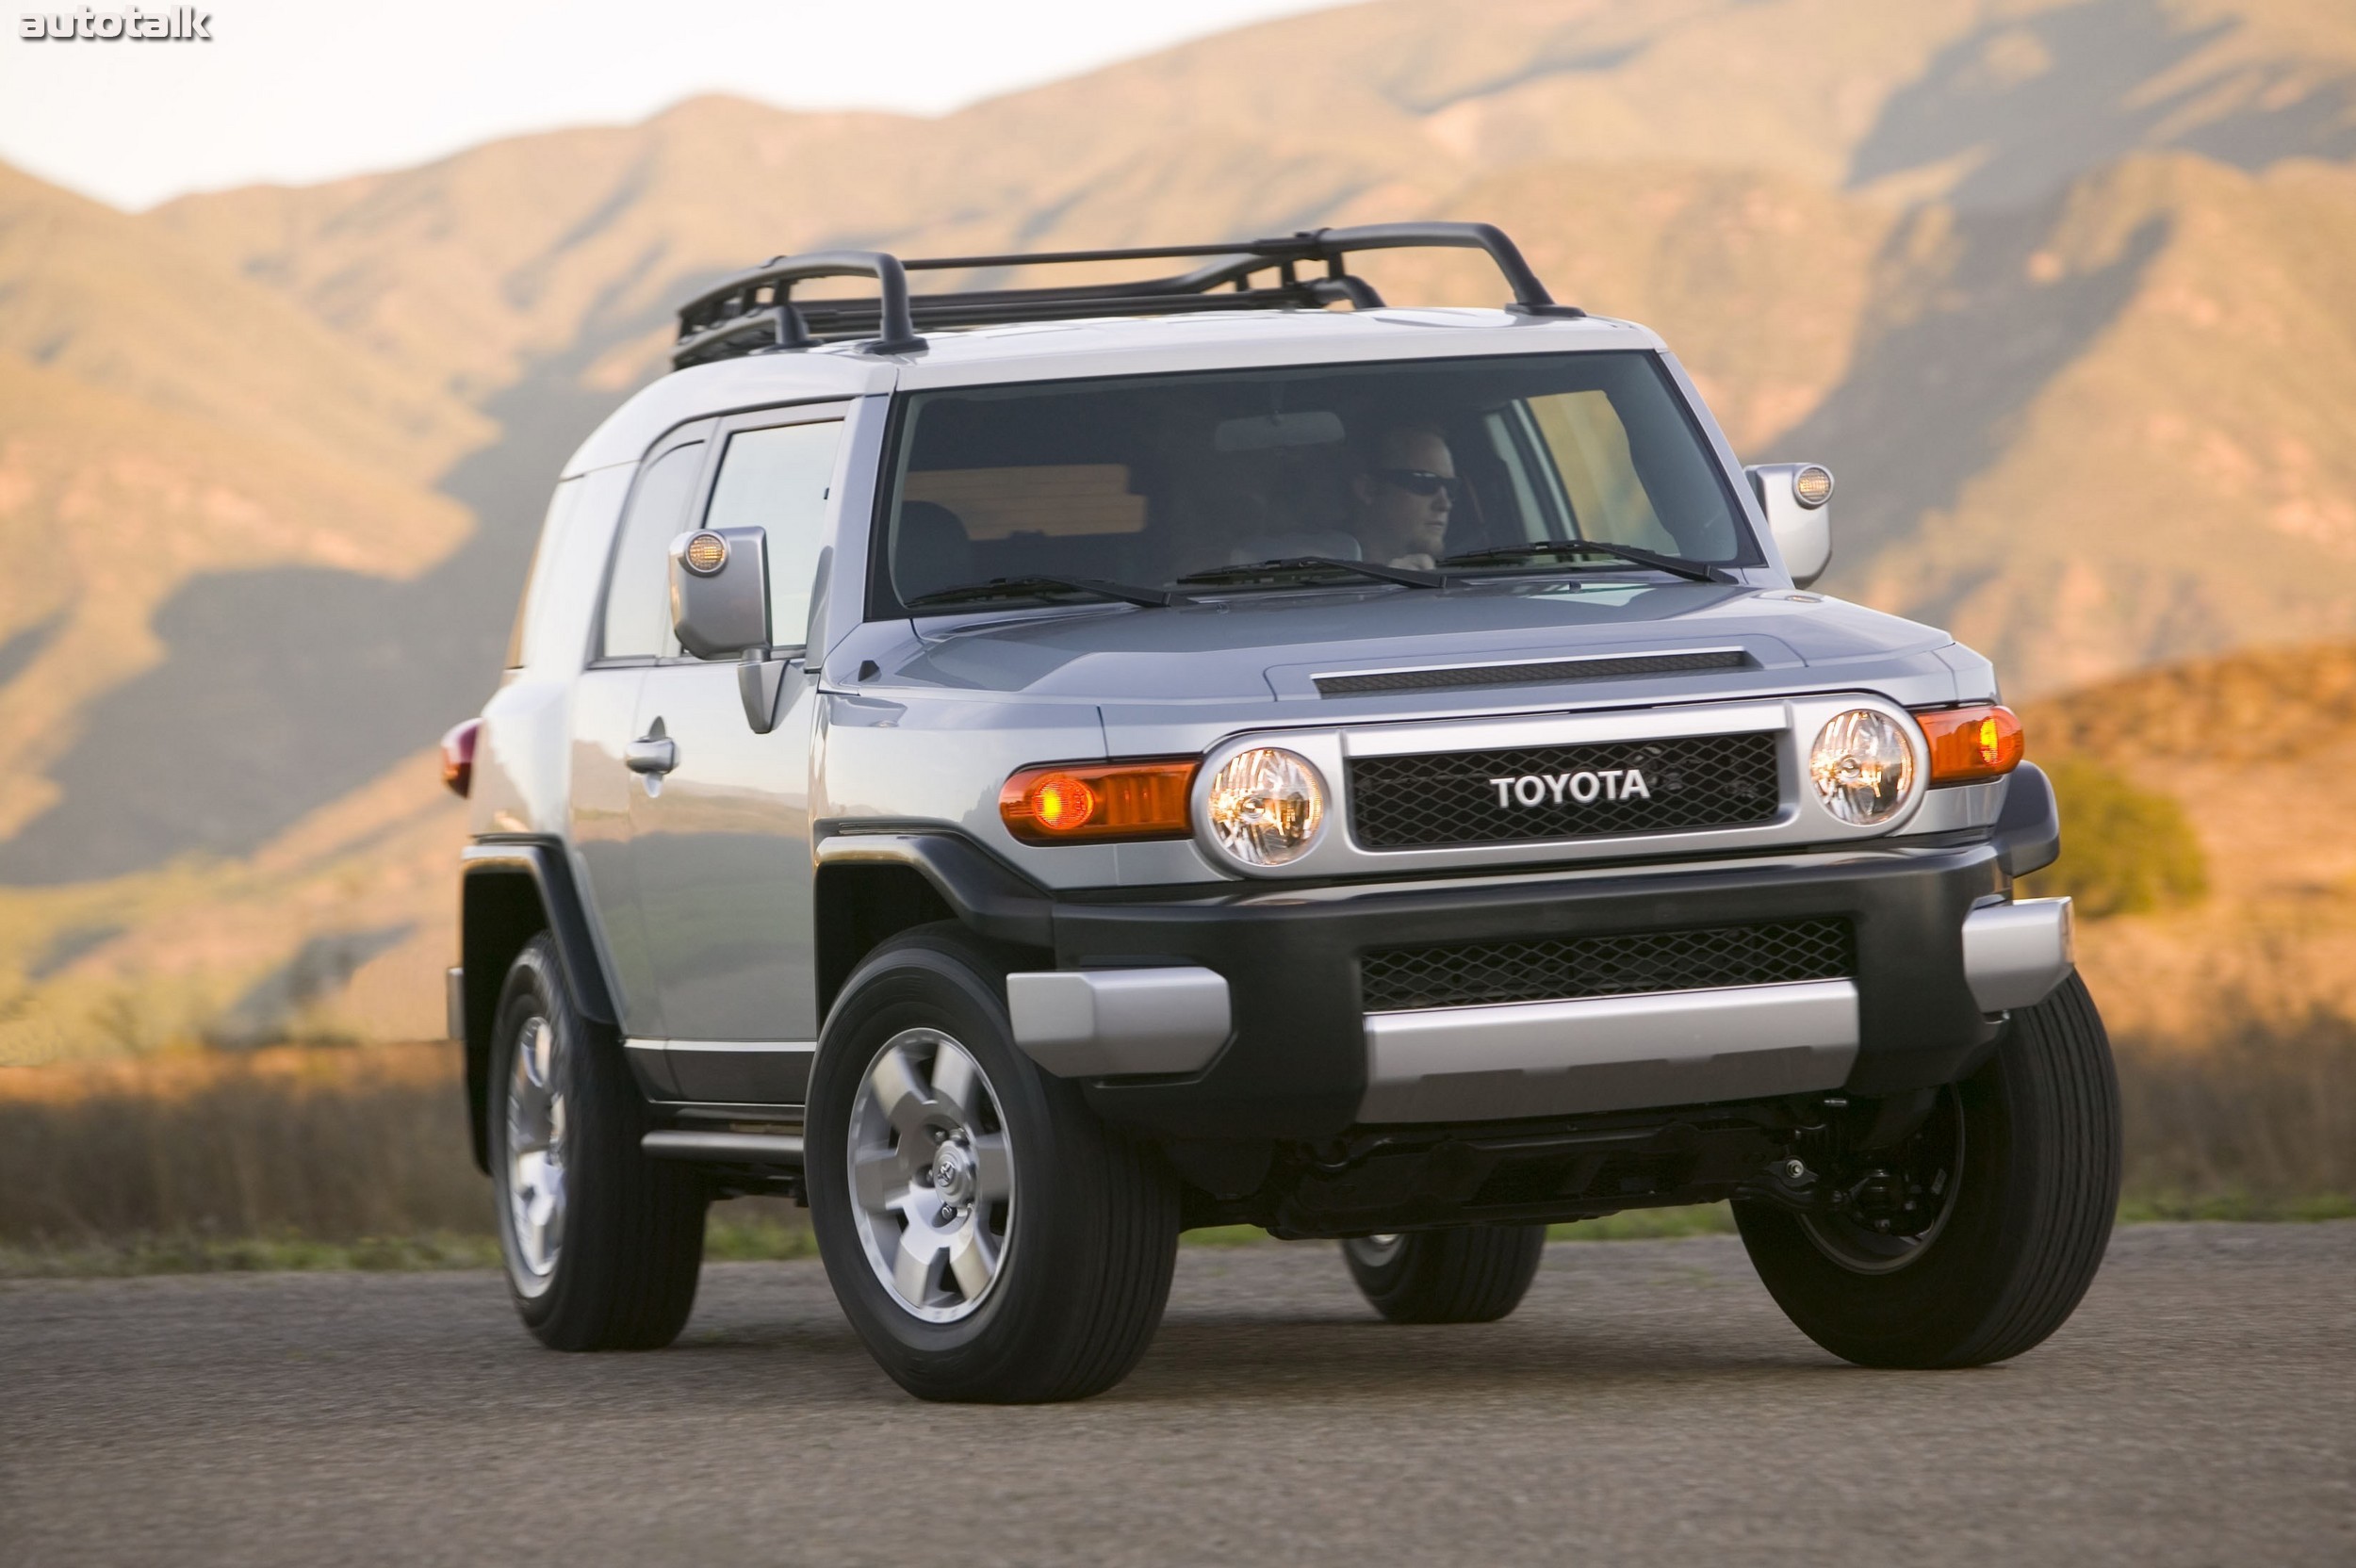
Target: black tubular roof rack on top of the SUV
{"x":757,"y":312}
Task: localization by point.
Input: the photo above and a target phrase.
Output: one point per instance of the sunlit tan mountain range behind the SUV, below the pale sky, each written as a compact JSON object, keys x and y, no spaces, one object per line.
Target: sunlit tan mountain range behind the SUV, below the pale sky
{"x":2056,"y":286}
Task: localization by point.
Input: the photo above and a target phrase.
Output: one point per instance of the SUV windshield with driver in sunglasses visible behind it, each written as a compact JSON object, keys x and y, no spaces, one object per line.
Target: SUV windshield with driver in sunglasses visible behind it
{"x":1149,"y":481}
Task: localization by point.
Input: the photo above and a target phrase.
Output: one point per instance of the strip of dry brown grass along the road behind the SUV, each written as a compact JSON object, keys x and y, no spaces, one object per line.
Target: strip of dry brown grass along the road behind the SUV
{"x":357,"y":1157}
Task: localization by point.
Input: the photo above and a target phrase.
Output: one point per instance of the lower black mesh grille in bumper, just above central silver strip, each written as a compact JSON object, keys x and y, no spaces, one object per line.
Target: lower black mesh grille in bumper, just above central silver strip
{"x":1566,"y":969}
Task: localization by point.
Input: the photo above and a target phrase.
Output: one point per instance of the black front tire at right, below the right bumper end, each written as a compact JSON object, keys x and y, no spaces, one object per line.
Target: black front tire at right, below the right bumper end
{"x":2027,"y":1228}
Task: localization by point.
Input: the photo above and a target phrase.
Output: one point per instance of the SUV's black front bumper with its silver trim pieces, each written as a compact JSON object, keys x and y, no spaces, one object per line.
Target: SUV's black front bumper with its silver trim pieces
{"x":1304,"y":1061}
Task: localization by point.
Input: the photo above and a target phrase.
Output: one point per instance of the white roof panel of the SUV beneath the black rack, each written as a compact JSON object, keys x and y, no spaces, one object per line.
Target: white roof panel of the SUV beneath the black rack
{"x":1068,"y":350}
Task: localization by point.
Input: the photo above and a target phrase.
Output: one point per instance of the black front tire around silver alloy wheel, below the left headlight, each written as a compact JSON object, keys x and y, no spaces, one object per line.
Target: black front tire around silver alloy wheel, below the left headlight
{"x":1090,"y":1223}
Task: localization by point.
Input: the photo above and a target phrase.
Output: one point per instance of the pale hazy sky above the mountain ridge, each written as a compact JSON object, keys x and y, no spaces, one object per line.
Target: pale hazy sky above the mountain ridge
{"x":298,"y":91}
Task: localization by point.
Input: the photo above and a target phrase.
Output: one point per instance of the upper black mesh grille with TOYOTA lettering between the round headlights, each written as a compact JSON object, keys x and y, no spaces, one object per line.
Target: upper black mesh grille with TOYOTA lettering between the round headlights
{"x":1455,"y":797}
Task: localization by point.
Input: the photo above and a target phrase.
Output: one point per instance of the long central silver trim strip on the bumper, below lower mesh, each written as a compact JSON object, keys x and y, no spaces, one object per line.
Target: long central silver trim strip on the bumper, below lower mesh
{"x":1610,"y":1054}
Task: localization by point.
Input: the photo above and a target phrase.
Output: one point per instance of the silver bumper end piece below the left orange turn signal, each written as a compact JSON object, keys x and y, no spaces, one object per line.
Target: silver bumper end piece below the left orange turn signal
{"x":1113,"y":1023}
